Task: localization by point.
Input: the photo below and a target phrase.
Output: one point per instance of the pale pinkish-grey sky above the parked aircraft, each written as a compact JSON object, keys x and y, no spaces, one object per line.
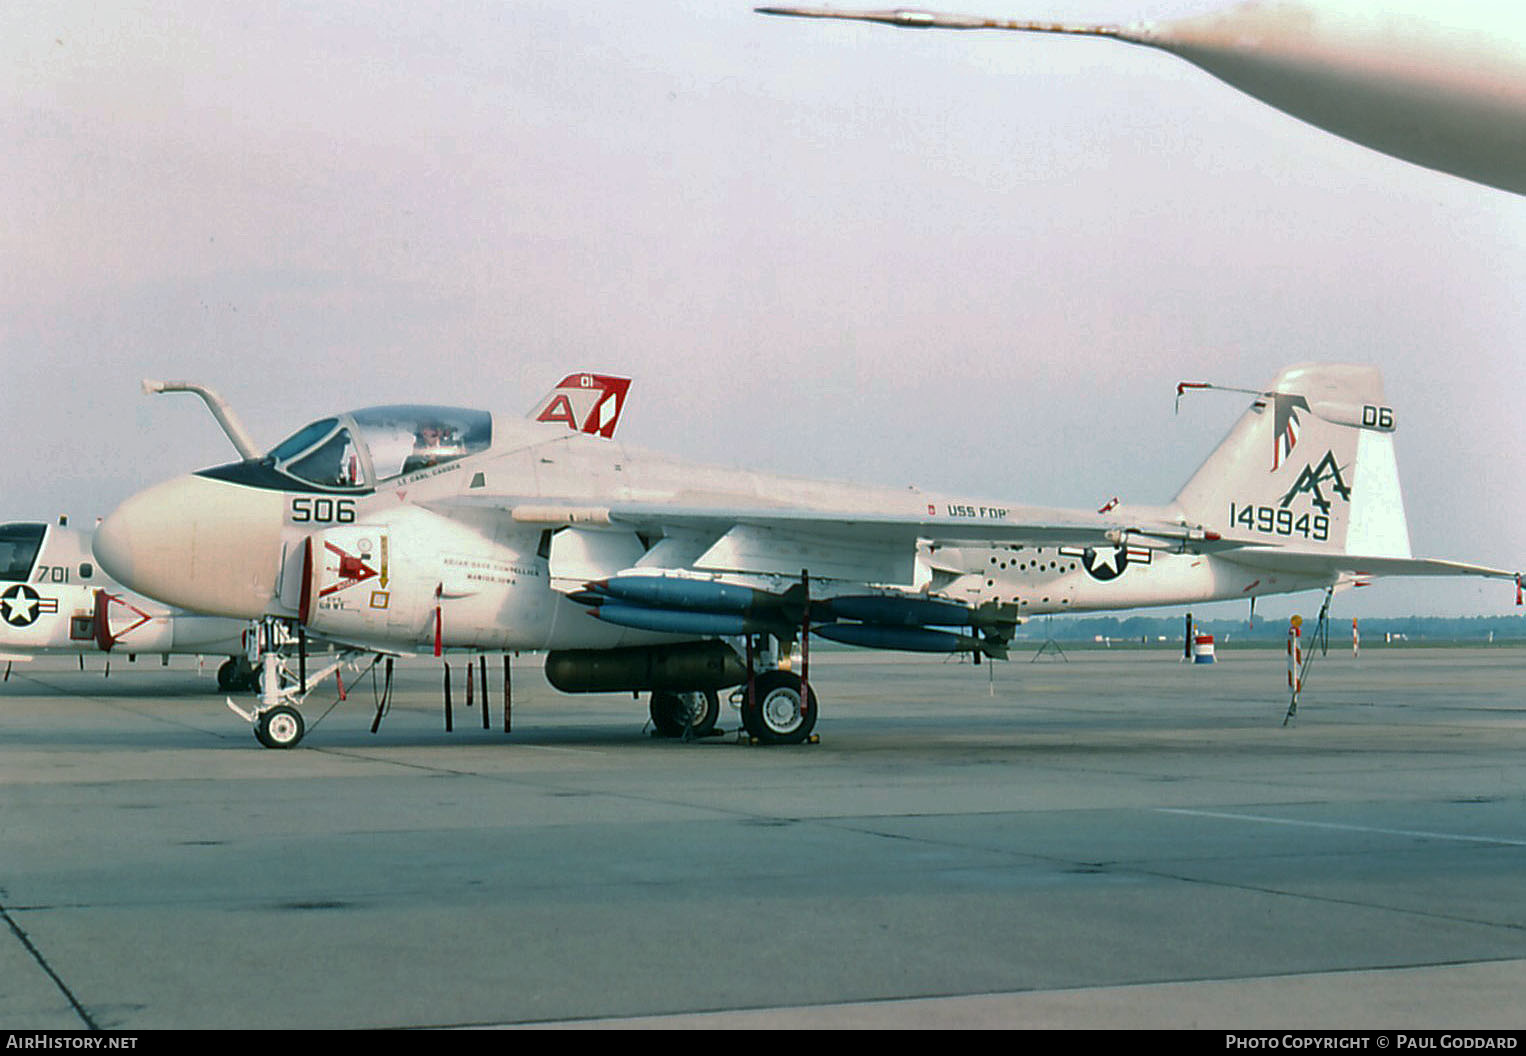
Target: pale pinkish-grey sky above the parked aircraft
{"x":970,"y":262}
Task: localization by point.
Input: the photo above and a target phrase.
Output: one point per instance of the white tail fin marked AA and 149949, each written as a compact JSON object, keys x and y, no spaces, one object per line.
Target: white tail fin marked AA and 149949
{"x":1310,"y":466}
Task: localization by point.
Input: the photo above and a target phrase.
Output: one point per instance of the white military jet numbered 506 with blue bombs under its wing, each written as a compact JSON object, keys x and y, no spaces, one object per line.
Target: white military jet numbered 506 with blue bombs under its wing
{"x":414,"y":529}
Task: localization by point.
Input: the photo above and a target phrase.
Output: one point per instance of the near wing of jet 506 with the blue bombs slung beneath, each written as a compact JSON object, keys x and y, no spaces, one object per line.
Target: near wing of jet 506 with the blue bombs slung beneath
{"x":857,"y":576}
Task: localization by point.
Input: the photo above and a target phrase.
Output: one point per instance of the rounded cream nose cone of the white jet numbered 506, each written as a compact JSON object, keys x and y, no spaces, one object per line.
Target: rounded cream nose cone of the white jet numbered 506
{"x":199,"y":544}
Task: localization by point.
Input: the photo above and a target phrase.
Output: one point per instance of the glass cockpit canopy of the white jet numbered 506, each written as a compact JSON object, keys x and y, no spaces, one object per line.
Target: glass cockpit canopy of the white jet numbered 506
{"x":367,"y":448}
